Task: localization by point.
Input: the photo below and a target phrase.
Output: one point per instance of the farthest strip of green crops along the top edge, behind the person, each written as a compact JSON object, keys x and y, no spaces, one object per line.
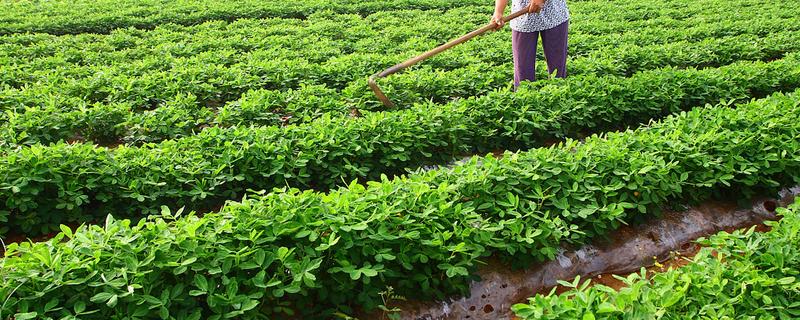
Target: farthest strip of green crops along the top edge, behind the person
{"x":60,"y":17}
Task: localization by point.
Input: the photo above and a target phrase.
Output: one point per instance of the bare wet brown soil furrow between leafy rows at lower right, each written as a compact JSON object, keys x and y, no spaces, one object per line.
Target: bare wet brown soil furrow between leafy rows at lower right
{"x":658,"y":245}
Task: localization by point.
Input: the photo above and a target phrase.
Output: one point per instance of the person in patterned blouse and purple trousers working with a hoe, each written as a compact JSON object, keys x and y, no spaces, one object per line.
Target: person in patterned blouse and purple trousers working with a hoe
{"x":550,"y":18}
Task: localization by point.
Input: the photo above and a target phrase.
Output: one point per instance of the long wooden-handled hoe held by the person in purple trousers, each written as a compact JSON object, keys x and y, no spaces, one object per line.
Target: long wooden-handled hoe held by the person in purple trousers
{"x":410,"y":62}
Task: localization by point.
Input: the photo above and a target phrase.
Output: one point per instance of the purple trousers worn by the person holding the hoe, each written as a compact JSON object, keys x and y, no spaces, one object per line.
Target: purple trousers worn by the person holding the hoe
{"x":524,"y":45}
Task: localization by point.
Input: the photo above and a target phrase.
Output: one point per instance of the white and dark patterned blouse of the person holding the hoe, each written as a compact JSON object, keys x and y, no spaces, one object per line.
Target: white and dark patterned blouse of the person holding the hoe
{"x":553,"y":13}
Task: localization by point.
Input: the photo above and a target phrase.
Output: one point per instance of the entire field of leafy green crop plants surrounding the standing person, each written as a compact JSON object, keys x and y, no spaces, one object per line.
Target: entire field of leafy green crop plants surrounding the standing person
{"x":210,"y":160}
